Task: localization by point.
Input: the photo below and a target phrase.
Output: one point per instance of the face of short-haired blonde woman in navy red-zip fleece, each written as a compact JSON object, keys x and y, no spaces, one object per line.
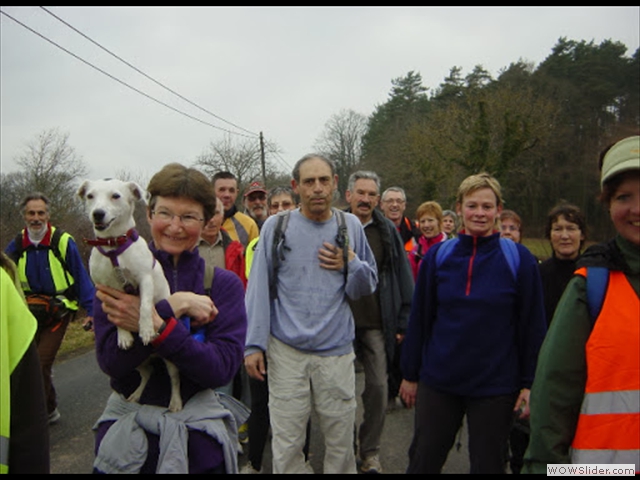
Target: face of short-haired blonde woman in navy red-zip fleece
{"x":479,"y":210}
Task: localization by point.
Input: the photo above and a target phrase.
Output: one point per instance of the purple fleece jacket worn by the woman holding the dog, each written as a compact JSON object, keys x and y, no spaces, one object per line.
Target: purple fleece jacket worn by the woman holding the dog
{"x":209,"y":364}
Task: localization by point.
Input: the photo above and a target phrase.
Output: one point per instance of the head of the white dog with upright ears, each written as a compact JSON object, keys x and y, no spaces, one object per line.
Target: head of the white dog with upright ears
{"x":110,"y":204}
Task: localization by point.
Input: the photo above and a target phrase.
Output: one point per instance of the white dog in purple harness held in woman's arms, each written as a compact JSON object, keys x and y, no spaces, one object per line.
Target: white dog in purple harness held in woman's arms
{"x":121,"y":259}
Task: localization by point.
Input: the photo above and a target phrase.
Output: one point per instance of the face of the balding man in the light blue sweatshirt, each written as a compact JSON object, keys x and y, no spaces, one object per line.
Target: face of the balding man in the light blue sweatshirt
{"x":315,"y":189}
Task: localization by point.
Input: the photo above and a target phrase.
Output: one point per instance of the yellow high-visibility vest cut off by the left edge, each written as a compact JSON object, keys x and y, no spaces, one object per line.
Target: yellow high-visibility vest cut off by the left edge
{"x":17,"y":330}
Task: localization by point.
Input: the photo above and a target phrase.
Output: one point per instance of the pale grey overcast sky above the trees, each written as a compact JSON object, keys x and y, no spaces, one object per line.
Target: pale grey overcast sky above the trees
{"x":283,"y":71}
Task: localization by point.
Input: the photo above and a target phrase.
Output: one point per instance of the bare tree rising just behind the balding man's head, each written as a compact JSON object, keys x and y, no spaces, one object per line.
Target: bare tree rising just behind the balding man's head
{"x":341,"y":140}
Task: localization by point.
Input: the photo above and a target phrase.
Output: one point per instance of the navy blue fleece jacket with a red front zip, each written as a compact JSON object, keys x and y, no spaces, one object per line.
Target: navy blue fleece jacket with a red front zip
{"x":474,"y":330}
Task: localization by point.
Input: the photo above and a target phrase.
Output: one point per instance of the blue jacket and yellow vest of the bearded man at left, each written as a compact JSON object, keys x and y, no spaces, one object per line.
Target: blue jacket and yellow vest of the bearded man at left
{"x":44,"y":274}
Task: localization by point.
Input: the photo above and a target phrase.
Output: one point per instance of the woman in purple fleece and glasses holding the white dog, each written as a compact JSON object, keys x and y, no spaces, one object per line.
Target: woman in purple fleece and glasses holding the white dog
{"x":202,"y":437}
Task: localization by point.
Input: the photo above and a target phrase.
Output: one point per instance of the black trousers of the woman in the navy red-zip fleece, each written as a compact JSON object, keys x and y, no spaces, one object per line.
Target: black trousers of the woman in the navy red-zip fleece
{"x":439,"y":417}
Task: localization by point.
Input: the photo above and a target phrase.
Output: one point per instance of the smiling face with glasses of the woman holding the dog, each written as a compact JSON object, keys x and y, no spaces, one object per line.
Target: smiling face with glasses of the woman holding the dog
{"x":173,"y":236}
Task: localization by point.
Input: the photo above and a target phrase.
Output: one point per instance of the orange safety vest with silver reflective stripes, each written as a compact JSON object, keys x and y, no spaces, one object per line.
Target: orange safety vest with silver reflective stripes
{"x":608,"y":429}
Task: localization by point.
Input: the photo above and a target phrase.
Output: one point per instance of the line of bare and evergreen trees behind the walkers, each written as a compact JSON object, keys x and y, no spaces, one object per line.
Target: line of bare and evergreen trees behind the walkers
{"x":538,"y":129}
